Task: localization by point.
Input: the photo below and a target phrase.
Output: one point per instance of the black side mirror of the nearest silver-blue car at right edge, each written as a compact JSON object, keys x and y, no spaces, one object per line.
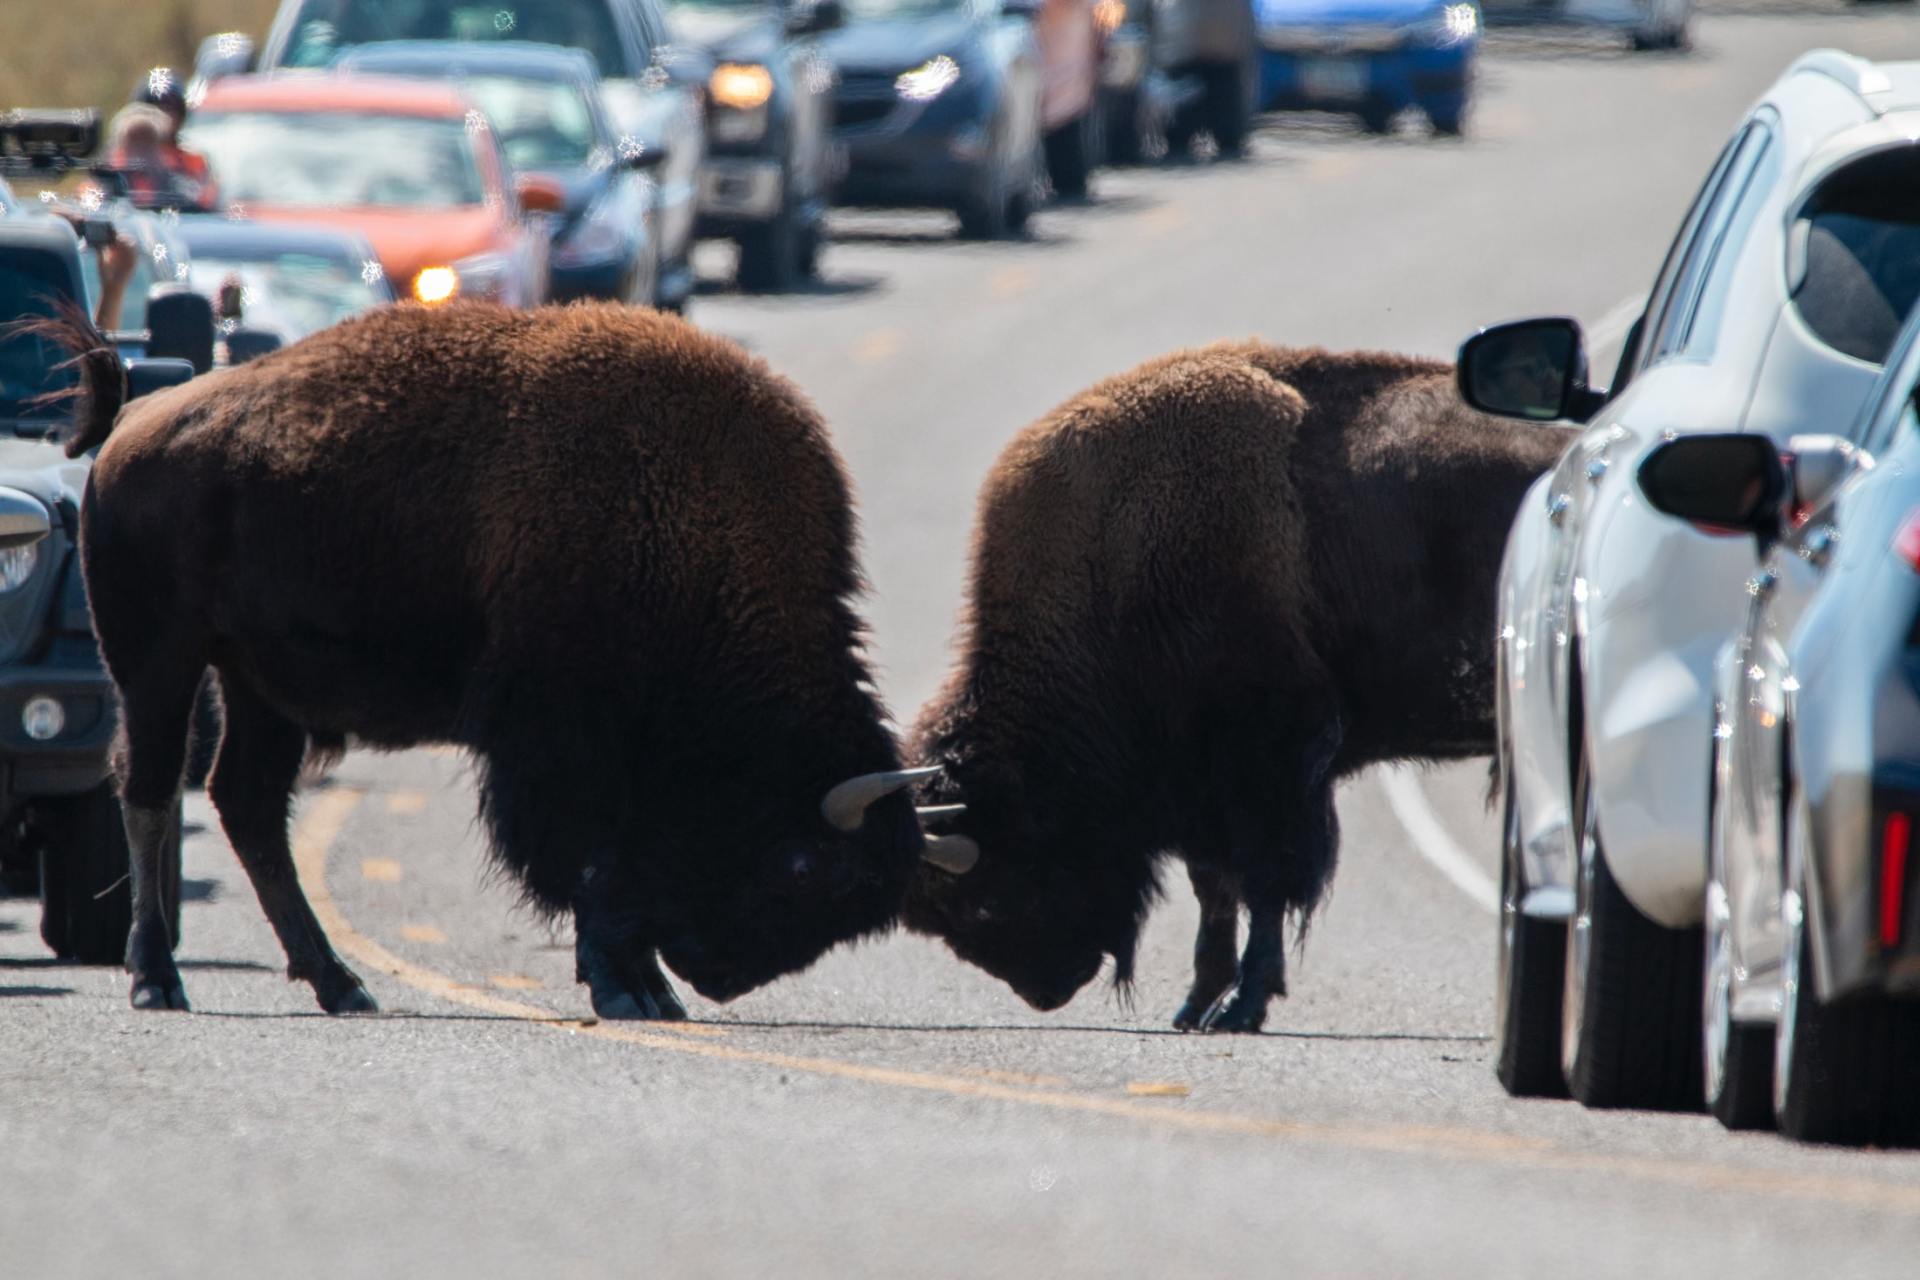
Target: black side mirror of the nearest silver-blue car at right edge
{"x":1725,"y":483}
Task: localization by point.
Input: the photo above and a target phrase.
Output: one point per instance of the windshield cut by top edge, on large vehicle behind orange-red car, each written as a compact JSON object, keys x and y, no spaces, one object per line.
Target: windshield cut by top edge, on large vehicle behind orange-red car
{"x":325,"y":28}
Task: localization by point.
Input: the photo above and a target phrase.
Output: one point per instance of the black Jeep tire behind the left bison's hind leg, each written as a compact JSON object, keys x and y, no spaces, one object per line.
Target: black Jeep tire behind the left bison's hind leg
{"x":85,"y":876}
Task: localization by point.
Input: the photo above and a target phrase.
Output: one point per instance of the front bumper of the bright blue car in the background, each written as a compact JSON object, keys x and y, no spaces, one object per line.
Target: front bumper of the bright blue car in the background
{"x":1433,"y":80}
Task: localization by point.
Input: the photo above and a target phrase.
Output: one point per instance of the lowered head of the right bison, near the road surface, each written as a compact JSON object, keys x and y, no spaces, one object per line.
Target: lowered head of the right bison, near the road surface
{"x":1013,"y":901}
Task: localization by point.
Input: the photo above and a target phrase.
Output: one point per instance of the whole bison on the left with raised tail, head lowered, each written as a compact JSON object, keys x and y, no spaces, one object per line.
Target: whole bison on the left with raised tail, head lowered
{"x":606,"y":554}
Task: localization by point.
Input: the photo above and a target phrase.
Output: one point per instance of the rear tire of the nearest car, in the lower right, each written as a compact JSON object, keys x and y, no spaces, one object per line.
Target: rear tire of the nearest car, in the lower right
{"x":1846,"y":1072}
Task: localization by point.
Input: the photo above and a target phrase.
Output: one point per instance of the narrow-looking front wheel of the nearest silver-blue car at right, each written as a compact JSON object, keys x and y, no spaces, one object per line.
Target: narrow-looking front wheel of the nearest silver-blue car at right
{"x":1737,"y":1058}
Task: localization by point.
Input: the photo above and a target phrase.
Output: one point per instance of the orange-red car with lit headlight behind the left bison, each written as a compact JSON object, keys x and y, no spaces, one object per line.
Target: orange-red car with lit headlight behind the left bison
{"x":414,"y":168}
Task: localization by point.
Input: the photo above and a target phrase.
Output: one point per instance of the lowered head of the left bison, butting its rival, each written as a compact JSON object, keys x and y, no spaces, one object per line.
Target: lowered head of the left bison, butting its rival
{"x":834,"y":876}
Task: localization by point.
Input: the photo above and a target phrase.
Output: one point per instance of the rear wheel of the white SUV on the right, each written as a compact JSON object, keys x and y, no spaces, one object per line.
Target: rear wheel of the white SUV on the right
{"x":1631,"y":1005}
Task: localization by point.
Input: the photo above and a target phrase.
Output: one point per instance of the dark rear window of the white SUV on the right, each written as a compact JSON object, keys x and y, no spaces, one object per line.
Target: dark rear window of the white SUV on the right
{"x":1860,"y":245}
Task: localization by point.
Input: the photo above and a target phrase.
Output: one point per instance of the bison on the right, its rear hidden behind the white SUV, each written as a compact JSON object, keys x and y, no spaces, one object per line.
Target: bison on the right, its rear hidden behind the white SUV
{"x":1203,"y":592}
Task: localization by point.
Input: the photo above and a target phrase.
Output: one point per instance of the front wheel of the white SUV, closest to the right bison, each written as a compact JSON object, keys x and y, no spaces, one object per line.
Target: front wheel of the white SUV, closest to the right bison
{"x":1527,"y":989}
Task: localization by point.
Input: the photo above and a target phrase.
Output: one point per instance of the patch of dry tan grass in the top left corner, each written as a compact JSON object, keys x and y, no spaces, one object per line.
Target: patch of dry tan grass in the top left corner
{"x":89,"y":53}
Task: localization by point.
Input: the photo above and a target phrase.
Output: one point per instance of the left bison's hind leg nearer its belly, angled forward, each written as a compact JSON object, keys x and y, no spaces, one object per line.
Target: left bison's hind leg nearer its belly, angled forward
{"x":252,"y":788}
